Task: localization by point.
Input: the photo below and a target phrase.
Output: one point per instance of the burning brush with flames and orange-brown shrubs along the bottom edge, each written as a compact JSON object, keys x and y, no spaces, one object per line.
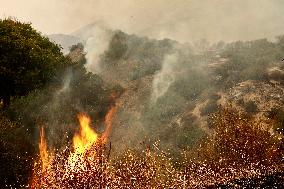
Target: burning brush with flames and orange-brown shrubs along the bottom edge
{"x":239,"y":149}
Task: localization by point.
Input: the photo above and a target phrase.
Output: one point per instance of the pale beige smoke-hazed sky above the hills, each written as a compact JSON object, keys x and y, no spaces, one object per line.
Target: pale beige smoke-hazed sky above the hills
{"x":183,"y":20}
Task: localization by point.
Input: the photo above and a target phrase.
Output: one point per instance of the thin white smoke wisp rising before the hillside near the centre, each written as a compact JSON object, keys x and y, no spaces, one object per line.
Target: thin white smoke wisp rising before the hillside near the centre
{"x":165,"y":77}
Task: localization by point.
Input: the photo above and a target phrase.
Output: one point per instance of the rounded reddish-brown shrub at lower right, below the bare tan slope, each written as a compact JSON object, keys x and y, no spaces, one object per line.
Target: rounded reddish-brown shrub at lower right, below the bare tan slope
{"x":240,"y":141}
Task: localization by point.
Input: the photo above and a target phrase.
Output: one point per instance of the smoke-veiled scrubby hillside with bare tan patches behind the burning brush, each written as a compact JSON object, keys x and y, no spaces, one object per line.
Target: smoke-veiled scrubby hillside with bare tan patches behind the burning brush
{"x":170,"y":89}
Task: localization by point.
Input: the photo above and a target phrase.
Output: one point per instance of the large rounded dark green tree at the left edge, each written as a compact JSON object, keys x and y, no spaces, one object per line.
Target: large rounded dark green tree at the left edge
{"x":27,"y":59}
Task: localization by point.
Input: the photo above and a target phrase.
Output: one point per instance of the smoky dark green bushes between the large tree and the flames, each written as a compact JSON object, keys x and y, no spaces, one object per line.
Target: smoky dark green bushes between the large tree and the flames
{"x":56,"y":106}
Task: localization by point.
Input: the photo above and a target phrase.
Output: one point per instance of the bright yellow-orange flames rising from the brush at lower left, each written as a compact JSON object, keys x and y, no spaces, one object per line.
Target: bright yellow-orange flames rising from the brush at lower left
{"x":49,"y":171}
